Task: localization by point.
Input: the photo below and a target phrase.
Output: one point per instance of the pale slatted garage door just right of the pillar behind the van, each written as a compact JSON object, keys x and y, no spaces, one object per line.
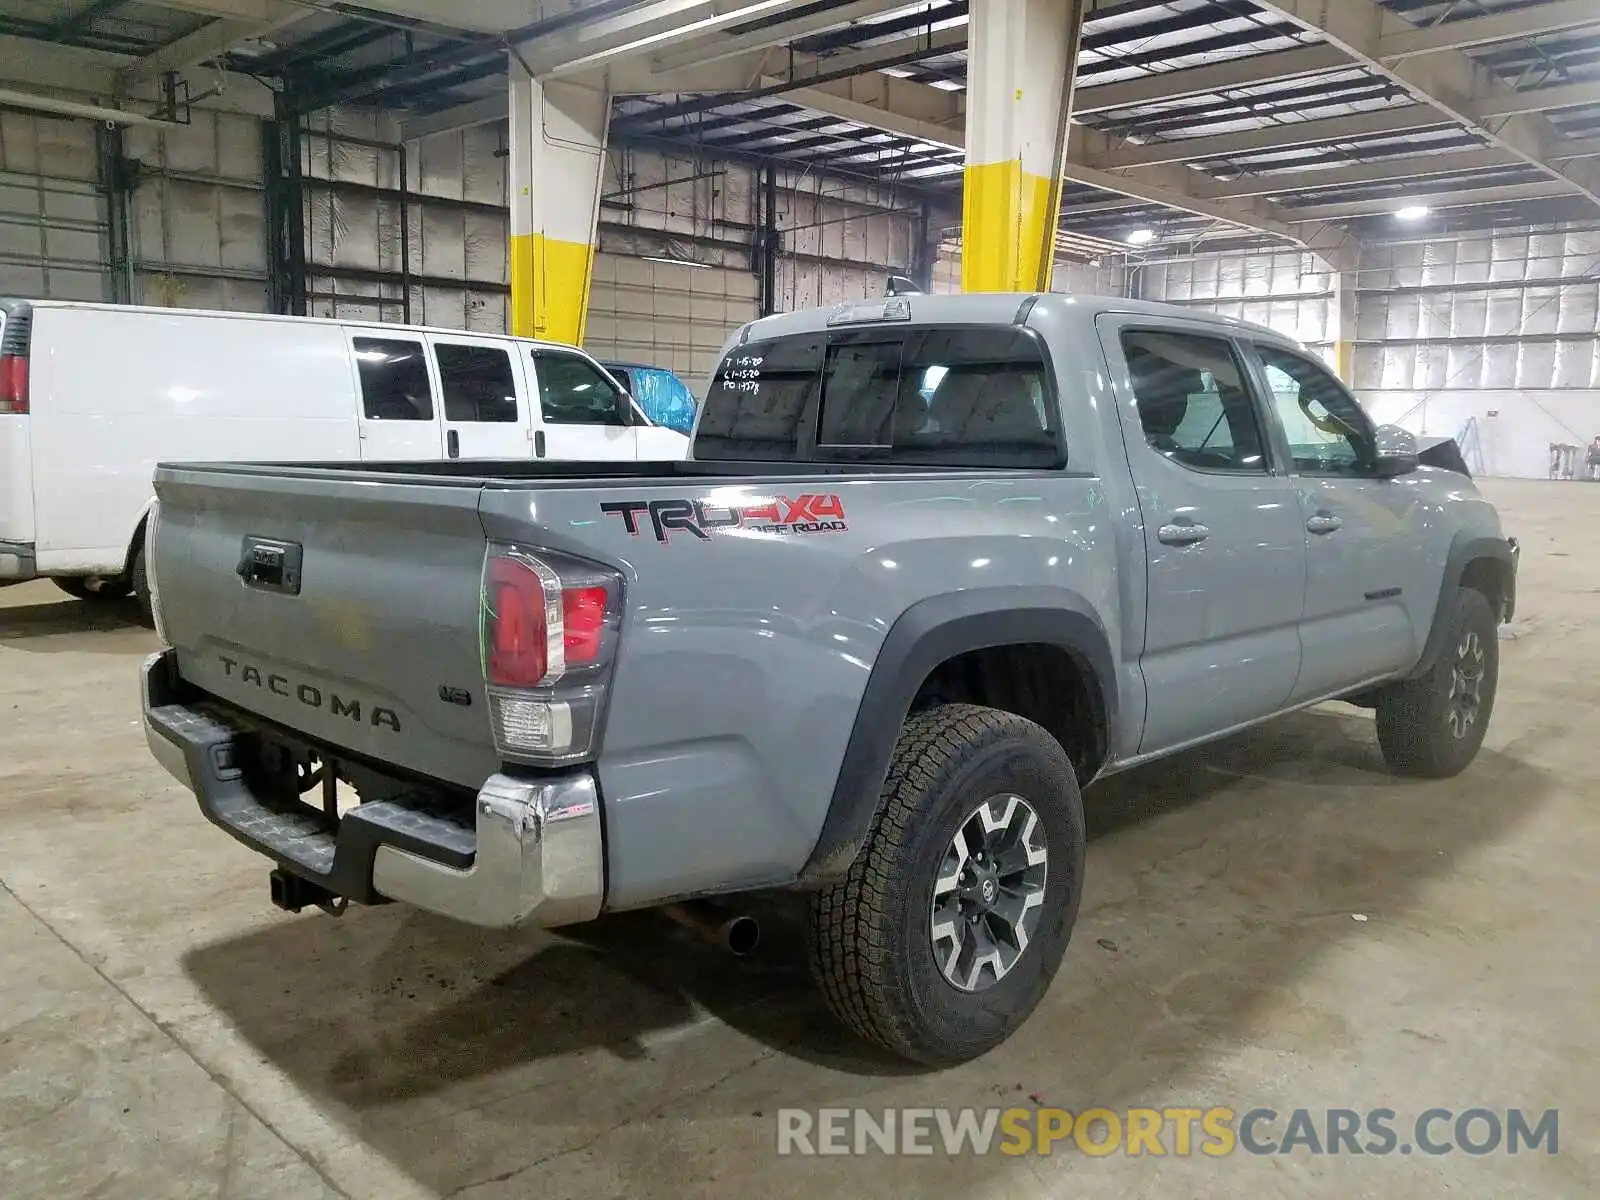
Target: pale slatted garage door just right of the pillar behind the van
{"x":663,"y":314}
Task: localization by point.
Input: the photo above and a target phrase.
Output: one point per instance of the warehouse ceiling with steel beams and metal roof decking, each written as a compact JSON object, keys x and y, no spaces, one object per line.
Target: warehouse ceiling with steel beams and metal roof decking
{"x":1196,"y":121}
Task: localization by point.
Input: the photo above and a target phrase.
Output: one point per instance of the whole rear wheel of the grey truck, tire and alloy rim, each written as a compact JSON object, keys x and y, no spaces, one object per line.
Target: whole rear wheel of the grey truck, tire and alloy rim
{"x":954,"y":918}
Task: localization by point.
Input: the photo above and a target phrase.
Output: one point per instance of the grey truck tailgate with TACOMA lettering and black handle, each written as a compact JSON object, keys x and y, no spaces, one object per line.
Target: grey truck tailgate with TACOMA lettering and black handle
{"x":370,"y":646}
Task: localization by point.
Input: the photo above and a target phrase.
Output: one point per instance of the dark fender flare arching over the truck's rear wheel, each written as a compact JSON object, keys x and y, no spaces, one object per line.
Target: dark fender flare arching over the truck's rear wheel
{"x":927,"y":634}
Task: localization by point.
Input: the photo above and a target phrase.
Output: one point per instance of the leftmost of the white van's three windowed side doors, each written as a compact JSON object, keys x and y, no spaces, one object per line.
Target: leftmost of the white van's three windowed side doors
{"x":399,"y":412}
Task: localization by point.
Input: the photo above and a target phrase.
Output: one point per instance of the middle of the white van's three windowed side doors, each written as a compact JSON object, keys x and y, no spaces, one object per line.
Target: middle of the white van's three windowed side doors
{"x":484,"y":398}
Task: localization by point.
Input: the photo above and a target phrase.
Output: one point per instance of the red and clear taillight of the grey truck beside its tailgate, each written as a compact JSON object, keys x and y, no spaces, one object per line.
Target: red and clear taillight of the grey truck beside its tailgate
{"x":550,"y":633}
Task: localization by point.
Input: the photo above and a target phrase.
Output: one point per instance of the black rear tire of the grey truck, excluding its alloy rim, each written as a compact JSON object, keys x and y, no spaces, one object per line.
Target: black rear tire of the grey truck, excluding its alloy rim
{"x":871,"y":934}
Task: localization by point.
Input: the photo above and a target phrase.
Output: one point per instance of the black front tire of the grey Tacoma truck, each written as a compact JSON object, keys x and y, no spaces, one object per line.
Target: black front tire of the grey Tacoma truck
{"x":1417,"y":729}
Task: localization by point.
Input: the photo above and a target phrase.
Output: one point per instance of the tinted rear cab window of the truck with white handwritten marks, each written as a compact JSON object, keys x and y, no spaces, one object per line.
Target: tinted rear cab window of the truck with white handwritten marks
{"x":940,"y":396}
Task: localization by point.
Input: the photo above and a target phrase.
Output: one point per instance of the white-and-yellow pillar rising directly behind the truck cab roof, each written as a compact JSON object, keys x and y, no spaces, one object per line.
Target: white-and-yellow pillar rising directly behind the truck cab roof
{"x":1020,"y":70}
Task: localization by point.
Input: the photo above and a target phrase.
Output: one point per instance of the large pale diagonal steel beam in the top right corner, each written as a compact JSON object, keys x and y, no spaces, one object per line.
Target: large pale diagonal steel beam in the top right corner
{"x":1452,"y":82}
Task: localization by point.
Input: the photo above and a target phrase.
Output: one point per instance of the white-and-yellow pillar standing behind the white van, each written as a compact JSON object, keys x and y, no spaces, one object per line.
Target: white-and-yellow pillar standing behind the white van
{"x":558,"y":159}
